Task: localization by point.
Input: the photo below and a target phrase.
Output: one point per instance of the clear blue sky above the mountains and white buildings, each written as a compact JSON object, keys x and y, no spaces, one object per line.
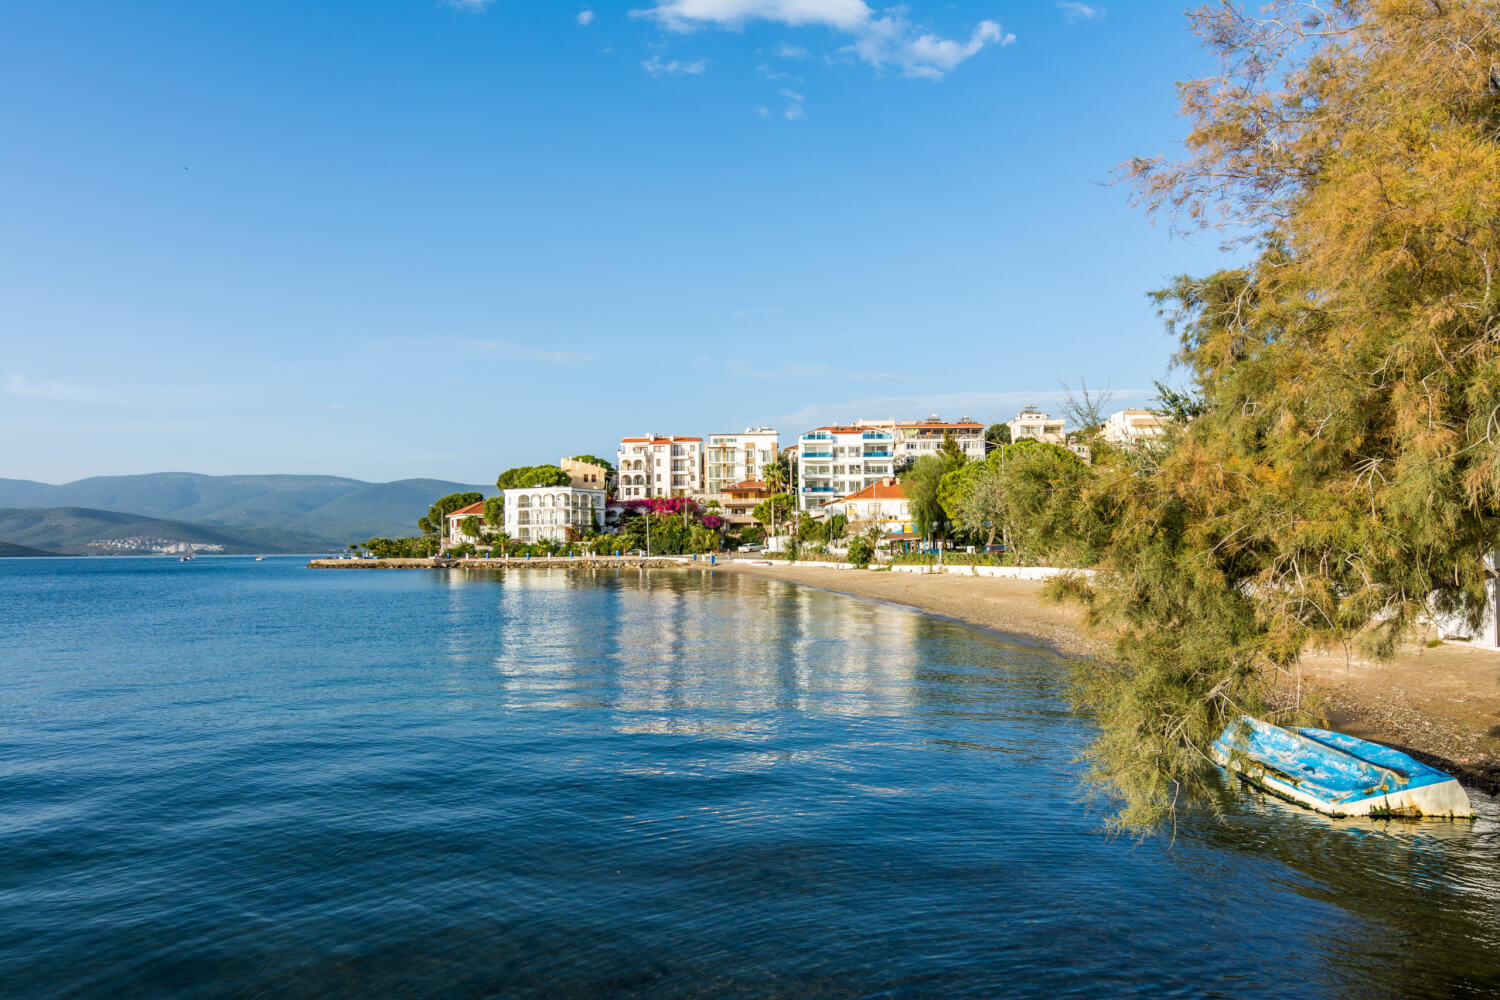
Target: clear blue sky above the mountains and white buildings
{"x":394,"y":239}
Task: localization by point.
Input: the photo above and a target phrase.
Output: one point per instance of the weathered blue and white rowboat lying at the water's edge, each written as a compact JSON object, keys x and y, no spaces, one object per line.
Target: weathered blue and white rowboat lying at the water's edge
{"x":1339,"y":774}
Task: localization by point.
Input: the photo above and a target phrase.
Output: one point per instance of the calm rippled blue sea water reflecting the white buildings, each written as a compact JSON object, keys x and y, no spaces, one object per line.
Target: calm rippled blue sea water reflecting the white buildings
{"x":248,"y":779}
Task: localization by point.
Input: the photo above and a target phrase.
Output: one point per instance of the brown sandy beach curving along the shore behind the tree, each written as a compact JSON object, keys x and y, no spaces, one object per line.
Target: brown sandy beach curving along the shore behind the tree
{"x":1441,"y":704}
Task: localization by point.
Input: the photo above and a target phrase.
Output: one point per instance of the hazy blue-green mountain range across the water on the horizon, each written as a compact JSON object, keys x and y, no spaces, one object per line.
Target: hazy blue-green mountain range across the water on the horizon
{"x":242,"y":513}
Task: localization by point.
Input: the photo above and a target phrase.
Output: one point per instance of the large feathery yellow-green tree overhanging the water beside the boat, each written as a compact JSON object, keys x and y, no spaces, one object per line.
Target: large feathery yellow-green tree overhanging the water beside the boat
{"x":1342,"y":476}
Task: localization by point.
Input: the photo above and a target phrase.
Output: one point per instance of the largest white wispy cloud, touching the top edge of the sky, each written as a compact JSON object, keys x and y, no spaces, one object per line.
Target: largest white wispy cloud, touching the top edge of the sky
{"x":889,"y":41}
